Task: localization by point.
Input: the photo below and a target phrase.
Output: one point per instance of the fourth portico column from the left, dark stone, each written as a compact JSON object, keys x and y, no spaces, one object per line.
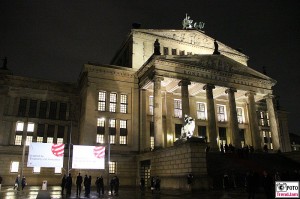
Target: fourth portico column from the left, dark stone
{"x":235,"y":137}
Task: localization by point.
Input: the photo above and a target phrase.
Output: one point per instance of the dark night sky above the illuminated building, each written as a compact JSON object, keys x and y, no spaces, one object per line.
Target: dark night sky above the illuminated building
{"x":53,"y":39}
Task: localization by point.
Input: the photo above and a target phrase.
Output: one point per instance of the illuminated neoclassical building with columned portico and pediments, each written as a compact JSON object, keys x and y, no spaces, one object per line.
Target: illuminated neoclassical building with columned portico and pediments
{"x":135,"y":107}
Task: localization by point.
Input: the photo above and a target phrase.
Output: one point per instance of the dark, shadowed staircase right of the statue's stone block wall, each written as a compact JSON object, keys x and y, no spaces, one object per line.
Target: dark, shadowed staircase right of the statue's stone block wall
{"x":236,"y":166}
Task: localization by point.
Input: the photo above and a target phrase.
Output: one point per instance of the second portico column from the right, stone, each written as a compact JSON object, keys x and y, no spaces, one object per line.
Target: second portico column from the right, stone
{"x":256,"y":139}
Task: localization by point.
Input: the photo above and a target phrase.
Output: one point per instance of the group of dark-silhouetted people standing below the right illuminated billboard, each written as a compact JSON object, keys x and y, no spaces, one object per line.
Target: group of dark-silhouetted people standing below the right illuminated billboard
{"x":66,"y":183}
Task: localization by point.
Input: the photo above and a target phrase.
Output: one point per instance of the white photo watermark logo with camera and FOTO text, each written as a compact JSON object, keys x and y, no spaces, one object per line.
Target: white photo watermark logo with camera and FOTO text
{"x":286,"y":189}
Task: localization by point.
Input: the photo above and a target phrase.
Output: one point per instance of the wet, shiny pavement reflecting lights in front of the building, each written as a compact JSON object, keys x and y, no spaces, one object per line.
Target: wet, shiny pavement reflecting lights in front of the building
{"x":54,"y":192}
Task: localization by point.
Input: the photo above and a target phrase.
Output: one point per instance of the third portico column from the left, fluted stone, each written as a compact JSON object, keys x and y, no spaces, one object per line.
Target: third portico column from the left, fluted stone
{"x":211,"y":116}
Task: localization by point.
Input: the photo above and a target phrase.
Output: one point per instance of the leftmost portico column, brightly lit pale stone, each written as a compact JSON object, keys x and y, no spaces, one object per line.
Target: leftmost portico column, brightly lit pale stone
{"x":158,"y":131}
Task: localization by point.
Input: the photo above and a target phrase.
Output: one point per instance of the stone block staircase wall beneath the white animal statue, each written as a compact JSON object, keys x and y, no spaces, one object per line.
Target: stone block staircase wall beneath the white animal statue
{"x":173,"y":164}
